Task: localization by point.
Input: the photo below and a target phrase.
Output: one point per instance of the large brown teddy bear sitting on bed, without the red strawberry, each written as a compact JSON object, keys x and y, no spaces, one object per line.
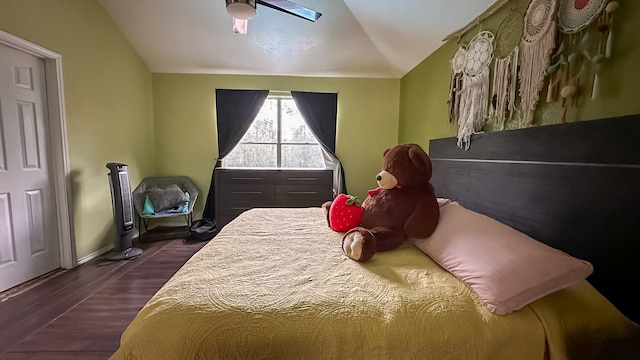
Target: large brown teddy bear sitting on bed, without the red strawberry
{"x":404,"y":205}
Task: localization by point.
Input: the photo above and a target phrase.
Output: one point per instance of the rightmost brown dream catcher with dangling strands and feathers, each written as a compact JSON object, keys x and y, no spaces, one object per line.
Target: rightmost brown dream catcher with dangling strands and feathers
{"x":586,"y":41}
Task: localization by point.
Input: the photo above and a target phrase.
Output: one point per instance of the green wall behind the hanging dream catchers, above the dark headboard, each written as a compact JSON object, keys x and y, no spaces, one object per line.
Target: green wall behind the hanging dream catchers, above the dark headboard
{"x":425,"y":89}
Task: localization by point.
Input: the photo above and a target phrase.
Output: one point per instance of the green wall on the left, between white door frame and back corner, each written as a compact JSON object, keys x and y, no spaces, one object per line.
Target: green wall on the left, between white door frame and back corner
{"x":108,"y":101}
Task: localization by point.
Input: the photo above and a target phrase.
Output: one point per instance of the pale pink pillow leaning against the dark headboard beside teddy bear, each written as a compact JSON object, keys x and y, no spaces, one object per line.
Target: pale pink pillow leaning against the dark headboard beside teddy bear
{"x":506,"y":268}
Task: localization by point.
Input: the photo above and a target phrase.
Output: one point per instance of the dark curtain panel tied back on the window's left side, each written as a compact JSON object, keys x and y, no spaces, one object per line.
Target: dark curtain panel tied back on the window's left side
{"x":235,"y":111}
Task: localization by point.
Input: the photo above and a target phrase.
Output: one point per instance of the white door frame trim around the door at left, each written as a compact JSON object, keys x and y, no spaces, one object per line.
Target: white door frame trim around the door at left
{"x":57,"y":150}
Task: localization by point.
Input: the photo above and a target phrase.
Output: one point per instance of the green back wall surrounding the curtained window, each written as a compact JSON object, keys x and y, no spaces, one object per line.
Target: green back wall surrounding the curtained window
{"x":185,"y":123}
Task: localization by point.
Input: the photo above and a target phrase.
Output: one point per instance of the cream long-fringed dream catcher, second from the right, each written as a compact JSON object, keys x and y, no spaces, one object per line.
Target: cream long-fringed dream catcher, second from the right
{"x":538,"y":42}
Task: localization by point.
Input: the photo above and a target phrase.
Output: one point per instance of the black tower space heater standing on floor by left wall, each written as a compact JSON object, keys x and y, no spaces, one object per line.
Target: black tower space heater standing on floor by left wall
{"x":122,"y":201}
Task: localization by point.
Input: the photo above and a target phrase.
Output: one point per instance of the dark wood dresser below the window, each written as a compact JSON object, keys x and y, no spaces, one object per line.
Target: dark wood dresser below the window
{"x":238,"y":190}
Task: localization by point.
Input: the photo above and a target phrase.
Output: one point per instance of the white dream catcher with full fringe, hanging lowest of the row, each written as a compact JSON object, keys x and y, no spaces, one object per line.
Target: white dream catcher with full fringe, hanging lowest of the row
{"x":474,"y":95}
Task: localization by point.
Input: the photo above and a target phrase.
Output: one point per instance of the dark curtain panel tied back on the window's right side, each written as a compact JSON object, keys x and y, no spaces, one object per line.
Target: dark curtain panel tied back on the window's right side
{"x":319,"y":111}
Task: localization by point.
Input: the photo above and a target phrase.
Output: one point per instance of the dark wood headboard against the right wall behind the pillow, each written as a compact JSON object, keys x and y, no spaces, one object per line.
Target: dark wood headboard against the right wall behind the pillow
{"x":575,"y":187}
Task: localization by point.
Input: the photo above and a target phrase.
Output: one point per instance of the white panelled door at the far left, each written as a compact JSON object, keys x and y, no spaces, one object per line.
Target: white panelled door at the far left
{"x":29,"y":245}
